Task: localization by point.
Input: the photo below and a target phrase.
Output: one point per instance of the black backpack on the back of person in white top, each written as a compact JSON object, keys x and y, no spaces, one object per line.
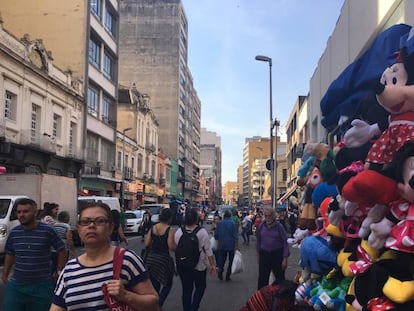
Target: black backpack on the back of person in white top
{"x":187,"y":252}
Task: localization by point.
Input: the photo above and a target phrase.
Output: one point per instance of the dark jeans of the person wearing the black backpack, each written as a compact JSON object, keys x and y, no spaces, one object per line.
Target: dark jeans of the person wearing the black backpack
{"x":189,"y":280}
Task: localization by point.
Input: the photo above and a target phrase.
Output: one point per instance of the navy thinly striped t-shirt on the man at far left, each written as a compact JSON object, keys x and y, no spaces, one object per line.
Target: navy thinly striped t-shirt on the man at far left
{"x":32,"y":252}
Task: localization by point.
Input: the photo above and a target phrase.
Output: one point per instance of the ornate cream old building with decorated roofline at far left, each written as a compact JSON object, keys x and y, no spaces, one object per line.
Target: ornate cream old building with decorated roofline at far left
{"x":41,"y":123}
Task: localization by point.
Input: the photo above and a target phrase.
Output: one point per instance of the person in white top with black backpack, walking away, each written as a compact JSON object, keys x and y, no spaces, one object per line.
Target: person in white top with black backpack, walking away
{"x":192,"y":256}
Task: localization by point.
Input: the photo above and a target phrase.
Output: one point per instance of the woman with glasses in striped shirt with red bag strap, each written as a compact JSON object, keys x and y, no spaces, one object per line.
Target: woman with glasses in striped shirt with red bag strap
{"x":80,"y":283}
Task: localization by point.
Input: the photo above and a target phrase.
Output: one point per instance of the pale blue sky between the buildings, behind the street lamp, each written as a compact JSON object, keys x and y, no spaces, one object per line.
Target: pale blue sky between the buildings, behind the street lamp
{"x":224,"y":36}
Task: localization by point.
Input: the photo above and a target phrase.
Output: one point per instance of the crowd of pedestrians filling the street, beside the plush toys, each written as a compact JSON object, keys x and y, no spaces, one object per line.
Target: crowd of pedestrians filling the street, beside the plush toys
{"x":41,"y":270}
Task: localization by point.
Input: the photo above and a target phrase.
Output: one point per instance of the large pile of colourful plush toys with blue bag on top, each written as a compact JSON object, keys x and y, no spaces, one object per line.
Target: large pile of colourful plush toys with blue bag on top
{"x":362,"y":185}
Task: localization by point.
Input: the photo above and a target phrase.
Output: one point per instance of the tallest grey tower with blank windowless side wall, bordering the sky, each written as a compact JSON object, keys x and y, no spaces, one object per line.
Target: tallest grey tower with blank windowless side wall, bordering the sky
{"x":154,"y":43}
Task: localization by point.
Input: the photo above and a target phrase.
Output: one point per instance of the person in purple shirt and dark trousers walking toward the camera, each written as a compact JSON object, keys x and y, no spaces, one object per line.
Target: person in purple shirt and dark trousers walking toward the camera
{"x":272,"y":248}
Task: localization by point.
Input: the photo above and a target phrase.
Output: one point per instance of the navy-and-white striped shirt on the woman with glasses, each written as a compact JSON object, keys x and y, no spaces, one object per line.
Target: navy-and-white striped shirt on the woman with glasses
{"x":80,"y":287}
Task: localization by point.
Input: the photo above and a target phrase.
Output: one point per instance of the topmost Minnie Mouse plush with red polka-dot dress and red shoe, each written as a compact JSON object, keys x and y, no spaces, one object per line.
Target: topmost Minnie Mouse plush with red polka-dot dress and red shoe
{"x":396,"y":94}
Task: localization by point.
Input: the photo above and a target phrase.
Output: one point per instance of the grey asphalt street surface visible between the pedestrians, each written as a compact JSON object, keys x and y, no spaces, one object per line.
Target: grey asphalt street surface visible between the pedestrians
{"x":219,"y":295}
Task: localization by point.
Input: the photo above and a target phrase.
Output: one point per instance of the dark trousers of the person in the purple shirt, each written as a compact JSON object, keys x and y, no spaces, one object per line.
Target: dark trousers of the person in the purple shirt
{"x":270,"y":261}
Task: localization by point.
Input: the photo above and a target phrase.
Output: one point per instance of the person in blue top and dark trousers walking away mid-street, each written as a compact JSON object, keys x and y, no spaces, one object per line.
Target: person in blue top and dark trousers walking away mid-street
{"x":227,"y":236}
